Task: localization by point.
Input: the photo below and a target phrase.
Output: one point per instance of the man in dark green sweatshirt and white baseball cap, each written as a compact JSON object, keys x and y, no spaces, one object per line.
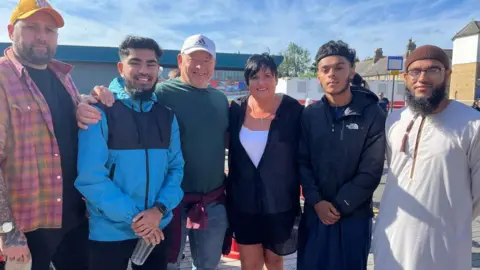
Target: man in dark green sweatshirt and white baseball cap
{"x":202,"y":114}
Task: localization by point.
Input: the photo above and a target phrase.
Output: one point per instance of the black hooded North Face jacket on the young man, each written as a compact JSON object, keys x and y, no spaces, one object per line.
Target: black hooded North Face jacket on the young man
{"x":341,"y":161}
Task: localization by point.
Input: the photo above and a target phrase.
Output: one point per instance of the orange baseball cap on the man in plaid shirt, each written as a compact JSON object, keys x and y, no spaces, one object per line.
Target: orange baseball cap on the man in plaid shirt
{"x":27,"y":8}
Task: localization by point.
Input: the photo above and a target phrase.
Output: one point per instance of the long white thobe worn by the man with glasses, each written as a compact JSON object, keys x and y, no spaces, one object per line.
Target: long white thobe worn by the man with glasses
{"x":426,"y":211}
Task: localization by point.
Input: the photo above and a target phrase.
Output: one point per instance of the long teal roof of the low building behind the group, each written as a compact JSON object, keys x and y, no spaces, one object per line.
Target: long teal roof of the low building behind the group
{"x":72,"y":53}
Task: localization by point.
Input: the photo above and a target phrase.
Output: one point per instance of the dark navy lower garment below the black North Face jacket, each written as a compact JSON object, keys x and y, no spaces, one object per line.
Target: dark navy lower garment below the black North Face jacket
{"x":342,"y":246}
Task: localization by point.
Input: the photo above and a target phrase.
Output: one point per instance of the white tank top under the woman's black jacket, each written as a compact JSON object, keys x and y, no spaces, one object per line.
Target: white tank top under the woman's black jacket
{"x":254,"y":142}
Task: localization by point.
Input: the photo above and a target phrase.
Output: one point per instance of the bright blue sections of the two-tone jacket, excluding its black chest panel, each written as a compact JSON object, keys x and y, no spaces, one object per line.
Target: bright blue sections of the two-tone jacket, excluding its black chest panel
{"x":113,"y":203}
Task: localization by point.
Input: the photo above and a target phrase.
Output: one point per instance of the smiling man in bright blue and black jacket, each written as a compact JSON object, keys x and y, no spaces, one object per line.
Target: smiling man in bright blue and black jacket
{"x":130,"y":165}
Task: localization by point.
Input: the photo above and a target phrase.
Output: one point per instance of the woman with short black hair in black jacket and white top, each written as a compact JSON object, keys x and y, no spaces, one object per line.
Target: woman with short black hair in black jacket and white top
{"x":263,"y":189}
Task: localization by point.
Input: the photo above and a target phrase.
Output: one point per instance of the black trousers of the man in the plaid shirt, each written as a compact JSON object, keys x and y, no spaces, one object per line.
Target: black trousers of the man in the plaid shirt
{"x":66,"y":249}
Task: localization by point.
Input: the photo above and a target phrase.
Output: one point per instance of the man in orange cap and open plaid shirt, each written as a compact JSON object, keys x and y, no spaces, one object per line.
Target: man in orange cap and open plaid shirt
{"x":42,"y":215}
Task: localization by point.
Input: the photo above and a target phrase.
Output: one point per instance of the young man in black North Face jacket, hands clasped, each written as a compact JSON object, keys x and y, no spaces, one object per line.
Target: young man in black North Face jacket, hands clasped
{"x":342,"y":150}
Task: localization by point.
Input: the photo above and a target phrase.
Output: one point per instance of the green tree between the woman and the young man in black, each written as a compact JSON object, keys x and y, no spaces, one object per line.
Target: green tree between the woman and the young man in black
{"x":295,"y":61}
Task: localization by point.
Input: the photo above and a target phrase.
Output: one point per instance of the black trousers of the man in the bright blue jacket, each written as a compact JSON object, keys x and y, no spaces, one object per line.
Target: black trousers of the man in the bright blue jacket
{"x":116,"y":255}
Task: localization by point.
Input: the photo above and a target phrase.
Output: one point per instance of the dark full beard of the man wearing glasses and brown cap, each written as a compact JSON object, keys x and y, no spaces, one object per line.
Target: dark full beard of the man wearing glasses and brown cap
{"x":426,"y":105}
